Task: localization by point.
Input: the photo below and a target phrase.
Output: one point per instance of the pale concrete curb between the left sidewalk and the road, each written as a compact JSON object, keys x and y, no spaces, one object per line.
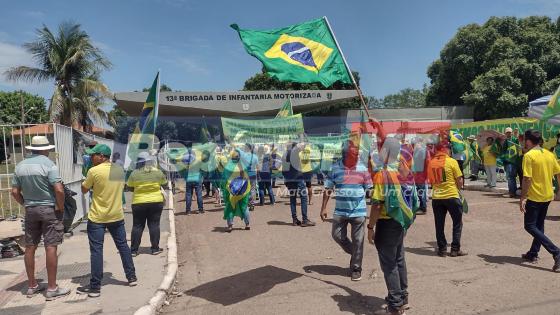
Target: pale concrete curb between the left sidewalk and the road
{"x":166,"y":285}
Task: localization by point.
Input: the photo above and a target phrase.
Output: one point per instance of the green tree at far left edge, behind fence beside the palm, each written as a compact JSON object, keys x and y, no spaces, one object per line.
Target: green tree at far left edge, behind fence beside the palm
{"x":10,"y":108}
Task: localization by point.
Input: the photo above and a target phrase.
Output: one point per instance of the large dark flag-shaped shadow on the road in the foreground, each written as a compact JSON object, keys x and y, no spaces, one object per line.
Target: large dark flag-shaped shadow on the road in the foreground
{"x":240,"y":287}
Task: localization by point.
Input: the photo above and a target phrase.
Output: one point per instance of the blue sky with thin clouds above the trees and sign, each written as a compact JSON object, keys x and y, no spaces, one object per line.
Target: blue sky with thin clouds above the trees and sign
{"x":390,"y":42}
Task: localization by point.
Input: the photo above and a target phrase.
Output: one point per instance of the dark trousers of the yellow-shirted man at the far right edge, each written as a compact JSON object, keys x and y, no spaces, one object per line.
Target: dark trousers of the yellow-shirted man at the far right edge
{"x":535,"y":214}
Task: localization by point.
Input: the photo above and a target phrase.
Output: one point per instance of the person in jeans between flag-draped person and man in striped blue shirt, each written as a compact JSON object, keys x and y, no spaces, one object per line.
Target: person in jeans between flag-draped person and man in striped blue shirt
{"x":291,"y":170}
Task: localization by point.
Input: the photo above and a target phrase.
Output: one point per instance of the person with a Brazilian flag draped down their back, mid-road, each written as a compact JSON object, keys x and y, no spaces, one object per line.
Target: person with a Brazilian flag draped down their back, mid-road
{"x":236,"y":189}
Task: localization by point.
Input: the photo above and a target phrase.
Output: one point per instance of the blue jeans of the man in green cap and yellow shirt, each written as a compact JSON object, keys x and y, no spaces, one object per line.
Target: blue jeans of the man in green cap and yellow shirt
{"x":96,"y":236}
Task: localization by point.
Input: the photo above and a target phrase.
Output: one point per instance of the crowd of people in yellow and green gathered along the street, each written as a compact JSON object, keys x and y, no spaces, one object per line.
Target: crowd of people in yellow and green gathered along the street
{"x":394,"y":178}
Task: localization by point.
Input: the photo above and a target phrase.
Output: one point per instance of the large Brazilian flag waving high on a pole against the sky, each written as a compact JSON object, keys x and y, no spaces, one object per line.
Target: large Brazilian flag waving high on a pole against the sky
{"x":303,"y":53}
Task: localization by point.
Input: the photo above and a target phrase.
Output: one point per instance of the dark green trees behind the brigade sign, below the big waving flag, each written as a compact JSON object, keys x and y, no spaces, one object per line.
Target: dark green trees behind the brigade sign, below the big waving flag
{"x":263,"y":82}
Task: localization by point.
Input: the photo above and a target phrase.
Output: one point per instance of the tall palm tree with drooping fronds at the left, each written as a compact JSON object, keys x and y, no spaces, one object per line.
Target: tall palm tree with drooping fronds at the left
{"x":73,"y":62}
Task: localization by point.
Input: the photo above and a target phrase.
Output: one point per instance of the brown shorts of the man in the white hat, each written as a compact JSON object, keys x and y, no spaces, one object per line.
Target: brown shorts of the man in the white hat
{"x":43,"y":221}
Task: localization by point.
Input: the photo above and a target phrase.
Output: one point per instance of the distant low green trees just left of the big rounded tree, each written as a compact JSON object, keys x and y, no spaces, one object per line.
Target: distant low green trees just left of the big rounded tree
{"x":403,"y":99}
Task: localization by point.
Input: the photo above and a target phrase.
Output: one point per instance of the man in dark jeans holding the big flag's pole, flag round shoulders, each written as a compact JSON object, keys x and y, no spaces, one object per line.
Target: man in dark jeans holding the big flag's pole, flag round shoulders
{"x":391,"y":214}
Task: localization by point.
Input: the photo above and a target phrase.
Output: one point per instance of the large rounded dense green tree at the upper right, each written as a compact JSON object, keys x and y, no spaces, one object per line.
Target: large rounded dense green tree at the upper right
{"x":498,"y":67}
